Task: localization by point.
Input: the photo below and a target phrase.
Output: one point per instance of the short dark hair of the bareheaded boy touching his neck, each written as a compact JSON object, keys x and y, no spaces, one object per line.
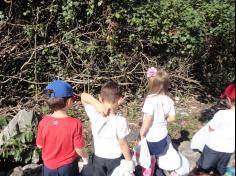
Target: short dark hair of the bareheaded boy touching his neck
{"x":111,"y":92}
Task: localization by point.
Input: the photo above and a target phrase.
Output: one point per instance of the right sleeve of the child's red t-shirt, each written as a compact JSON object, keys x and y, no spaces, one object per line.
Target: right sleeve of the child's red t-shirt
{"x":79,"y":136}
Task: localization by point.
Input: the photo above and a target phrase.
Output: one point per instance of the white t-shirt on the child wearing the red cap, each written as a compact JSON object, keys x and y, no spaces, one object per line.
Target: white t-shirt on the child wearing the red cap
{"x":222,"y":139}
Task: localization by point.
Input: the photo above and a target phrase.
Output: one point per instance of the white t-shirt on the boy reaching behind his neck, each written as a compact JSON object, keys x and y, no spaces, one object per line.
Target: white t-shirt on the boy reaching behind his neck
{"x":106,"y":132}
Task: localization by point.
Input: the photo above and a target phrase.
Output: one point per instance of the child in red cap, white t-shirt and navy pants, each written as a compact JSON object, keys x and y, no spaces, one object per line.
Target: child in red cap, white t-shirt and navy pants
{"x":221,"y":143}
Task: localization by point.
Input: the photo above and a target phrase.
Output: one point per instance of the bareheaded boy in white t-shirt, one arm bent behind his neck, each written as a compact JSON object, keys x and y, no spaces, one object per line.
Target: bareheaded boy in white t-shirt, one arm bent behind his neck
{"x":109,"y":133}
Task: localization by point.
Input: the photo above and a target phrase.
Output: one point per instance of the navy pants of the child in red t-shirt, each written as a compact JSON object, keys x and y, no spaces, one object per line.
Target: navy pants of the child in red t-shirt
{"x":66,"y":170}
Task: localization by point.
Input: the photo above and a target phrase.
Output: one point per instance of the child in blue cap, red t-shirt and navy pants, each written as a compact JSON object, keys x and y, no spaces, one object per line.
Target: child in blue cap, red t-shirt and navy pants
{"x":59,"y":136}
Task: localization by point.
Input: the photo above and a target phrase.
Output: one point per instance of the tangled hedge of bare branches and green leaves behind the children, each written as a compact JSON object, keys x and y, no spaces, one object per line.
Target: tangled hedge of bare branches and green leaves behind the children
{"x":89,"y":42}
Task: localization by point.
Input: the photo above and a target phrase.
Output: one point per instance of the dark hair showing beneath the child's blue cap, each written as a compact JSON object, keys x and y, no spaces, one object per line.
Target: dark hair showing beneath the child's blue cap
{"x":54,"y":103}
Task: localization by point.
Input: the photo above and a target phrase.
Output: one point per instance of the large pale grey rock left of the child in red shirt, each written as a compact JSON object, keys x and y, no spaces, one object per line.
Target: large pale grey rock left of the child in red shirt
{"x":18,"y":124}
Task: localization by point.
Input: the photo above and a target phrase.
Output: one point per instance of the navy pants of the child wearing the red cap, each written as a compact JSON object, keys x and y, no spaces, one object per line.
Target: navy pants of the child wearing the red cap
{"x":211,"y":160}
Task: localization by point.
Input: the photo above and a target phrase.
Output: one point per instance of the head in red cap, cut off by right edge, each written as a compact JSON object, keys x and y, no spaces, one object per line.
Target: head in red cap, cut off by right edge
{"x":229,"y":94}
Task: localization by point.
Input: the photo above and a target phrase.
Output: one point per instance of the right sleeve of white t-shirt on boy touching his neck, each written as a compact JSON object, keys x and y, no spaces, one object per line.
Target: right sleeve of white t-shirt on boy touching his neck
{"x":123,"y":128}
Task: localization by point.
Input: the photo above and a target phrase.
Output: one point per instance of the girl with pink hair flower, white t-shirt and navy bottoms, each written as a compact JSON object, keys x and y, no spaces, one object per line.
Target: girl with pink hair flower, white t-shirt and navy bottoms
{"x":158,"y":110}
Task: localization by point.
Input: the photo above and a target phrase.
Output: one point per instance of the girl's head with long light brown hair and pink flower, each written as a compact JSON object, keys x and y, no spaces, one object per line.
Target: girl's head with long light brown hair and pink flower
{"x":158,"y":82}
